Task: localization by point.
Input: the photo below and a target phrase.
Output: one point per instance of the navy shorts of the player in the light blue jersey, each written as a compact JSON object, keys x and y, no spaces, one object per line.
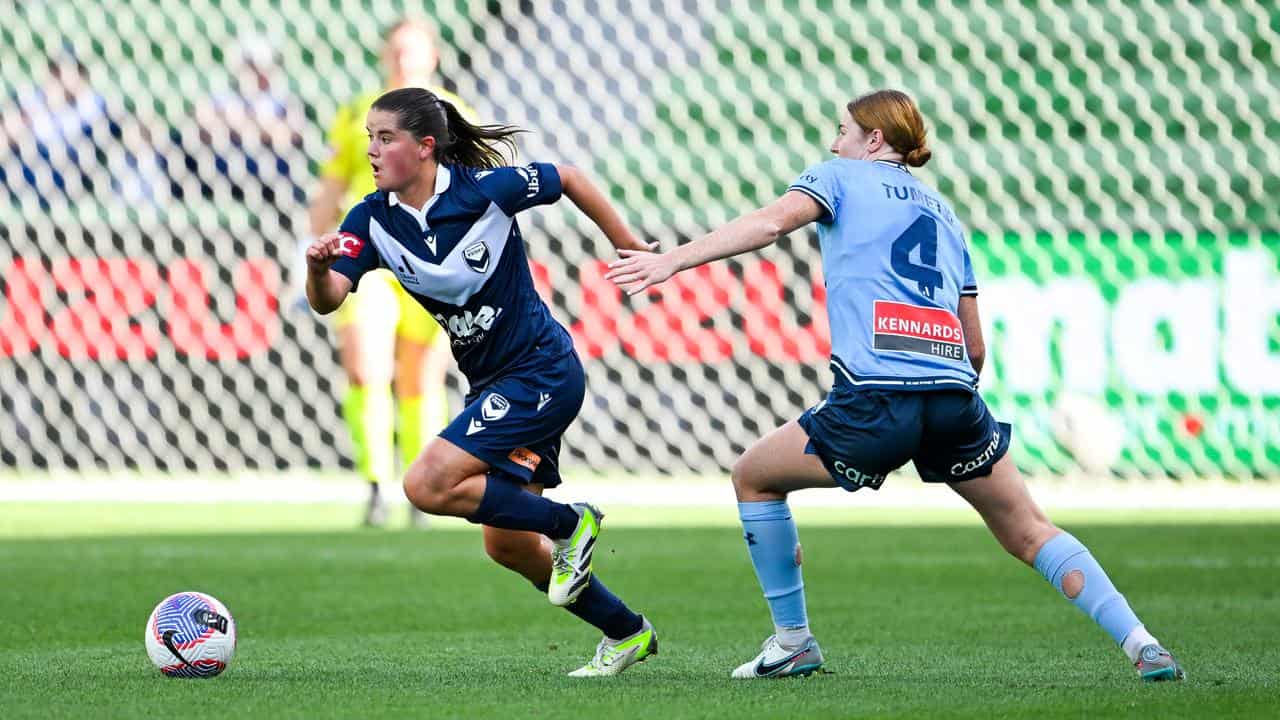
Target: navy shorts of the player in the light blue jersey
{"x":863,"y":435}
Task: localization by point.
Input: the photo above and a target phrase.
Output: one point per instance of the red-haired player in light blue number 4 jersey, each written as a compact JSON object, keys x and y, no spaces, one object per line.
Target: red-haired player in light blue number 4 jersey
{"x":907,"y":350}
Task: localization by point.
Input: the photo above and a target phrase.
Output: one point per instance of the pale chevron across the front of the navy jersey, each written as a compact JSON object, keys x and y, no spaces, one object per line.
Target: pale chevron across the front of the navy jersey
{"x":454,"y":280}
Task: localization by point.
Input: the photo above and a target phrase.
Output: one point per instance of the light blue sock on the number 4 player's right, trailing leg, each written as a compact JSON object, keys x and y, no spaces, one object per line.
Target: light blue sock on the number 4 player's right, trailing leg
{"x":1100,"y":599}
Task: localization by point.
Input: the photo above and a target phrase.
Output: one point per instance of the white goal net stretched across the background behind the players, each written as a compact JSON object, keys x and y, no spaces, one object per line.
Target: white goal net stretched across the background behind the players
{"x":1117,"y":163}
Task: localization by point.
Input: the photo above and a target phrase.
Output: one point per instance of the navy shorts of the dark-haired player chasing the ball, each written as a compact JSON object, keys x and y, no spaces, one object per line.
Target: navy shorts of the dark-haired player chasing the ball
{"x":515,"y":423}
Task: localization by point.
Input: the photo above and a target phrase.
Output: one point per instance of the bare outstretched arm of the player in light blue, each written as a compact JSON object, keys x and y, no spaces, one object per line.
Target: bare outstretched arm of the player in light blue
{"x":638,"y":271}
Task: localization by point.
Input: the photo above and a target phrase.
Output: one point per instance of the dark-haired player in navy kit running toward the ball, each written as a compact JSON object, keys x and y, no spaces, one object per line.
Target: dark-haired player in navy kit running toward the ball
{"x":444,"y":221}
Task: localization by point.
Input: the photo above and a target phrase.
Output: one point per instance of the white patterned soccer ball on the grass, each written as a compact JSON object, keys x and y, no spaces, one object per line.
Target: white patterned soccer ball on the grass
{"x":191,"y":635}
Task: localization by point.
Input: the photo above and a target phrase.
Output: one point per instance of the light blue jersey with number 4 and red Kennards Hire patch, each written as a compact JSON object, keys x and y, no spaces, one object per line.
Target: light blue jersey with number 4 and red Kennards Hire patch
{"x":895,"y":265}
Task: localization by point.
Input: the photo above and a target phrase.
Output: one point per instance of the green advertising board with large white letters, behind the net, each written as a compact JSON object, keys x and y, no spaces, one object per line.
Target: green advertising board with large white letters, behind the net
{"x":1136,"y":354}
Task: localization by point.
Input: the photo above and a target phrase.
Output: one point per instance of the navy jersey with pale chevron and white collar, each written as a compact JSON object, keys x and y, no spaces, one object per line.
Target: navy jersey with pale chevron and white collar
{"x":463,"y":258}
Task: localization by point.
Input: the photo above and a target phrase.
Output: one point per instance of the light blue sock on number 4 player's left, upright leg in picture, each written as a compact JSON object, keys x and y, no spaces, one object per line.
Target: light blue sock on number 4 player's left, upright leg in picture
{"x":772,"y":540}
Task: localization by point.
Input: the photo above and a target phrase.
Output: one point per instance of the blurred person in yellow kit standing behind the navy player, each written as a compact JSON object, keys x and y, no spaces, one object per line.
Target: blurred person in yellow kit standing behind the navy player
{"x":386,"y":340}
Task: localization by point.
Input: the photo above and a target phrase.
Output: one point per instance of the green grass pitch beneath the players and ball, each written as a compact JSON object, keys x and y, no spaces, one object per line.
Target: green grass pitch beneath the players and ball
{"x":921,"y":616}
